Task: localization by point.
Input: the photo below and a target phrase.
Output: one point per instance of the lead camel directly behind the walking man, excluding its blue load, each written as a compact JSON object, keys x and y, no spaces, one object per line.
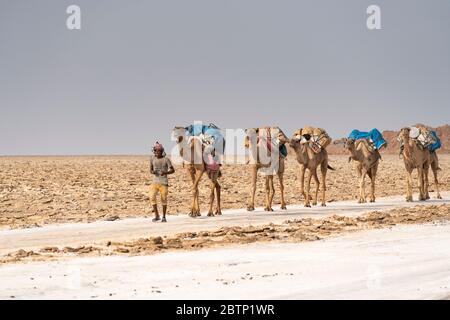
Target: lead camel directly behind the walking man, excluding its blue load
{"x":194,"y":162}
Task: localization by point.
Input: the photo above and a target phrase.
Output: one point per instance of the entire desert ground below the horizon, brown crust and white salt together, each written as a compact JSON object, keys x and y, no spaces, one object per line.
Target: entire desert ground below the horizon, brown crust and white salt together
{"x":60,"y":213}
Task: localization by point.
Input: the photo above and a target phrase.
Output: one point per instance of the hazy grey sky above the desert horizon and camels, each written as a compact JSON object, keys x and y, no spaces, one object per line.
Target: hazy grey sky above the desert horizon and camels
{"x":138,"y":68}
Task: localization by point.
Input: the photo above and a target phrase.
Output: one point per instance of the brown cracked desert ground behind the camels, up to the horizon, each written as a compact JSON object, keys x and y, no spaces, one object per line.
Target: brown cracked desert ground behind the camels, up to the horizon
{"x":35,"y":191}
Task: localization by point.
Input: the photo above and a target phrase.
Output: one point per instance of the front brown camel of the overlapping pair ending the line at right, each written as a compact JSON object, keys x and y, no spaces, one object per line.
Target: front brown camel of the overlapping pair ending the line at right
{"x":415,"y":157}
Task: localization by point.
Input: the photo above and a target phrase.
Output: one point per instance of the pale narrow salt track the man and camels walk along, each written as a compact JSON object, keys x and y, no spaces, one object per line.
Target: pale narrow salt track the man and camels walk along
{"x":133,"y":228}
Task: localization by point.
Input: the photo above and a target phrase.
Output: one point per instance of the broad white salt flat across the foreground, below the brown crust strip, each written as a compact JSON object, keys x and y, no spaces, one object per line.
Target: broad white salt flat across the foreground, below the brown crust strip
{"x":404,"y":262}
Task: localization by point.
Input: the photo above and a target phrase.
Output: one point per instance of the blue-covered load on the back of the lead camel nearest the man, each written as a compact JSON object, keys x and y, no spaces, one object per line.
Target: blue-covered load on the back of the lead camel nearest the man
{"x":213,"y":143}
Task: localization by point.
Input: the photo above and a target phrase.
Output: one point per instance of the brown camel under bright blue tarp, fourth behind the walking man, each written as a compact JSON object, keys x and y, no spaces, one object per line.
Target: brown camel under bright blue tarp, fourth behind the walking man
{"x":367,"y":159}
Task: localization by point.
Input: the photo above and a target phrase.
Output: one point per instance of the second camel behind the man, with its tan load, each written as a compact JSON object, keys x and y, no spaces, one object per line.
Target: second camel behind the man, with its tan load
{"x":261,"y":142}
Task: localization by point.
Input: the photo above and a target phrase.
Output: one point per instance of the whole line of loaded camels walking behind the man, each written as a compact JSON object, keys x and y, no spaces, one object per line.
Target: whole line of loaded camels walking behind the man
{"x":202,"y":147}
